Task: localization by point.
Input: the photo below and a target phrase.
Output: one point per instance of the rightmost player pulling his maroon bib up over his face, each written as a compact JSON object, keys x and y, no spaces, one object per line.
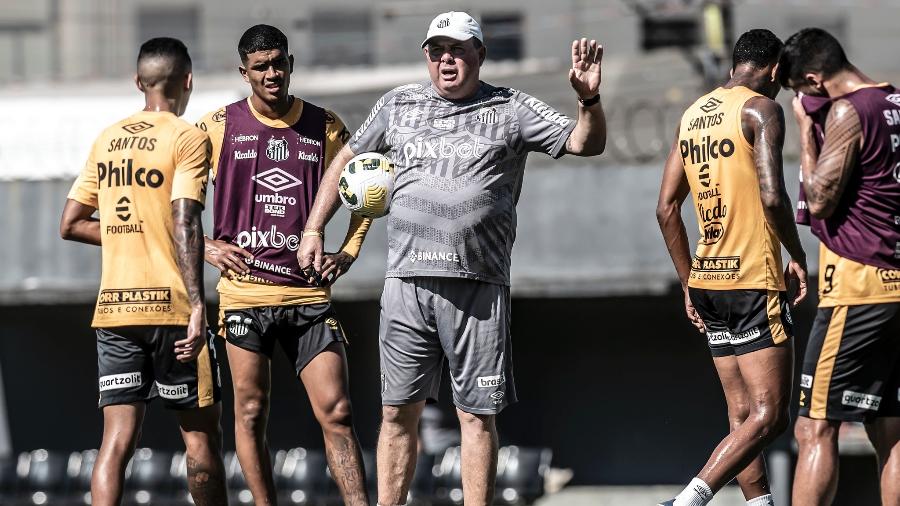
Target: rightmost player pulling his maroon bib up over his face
{"x":850,"y":163}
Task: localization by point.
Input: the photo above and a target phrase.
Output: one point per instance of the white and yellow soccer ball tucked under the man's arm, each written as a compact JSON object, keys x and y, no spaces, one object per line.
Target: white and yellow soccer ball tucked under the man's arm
{"x":366,"y":184}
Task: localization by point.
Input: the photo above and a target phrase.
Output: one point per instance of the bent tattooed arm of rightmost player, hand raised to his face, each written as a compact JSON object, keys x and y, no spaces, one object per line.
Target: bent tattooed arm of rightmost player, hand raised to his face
{"x":825,"y":175}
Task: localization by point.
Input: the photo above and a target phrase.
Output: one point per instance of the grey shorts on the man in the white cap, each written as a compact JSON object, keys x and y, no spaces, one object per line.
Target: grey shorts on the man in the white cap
{"x":423,"y":320}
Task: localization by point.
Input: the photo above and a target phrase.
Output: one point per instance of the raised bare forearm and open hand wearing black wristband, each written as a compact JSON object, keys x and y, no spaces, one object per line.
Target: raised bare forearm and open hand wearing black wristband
{"x":588,"y":138}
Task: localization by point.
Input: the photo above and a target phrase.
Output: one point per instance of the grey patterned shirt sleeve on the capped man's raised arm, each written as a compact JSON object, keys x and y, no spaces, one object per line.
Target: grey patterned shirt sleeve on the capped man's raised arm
{"x":544,"y":129}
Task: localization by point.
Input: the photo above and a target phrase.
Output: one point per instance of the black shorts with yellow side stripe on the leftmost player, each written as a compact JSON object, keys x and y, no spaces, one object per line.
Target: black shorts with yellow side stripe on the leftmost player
{"x":138,"y":364}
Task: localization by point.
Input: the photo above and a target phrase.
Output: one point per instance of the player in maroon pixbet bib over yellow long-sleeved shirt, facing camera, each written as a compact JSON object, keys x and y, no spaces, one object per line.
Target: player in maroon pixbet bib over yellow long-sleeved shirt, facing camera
{"x":269,"y":153}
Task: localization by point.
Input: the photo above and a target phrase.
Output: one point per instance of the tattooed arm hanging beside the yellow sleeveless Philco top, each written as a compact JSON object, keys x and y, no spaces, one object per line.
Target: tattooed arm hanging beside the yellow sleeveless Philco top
{"x":762,"y":121}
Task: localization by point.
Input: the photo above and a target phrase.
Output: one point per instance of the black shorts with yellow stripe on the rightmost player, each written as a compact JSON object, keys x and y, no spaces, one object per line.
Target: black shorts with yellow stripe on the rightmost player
{"x":851,"y":370}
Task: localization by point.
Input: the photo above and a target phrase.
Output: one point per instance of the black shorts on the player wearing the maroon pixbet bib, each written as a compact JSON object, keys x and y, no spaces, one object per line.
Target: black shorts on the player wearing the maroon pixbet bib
{"x":303,"y":330}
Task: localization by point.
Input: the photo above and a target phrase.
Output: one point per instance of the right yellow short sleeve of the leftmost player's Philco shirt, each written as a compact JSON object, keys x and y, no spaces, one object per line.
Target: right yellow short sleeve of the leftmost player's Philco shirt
{"x":192,"y":151}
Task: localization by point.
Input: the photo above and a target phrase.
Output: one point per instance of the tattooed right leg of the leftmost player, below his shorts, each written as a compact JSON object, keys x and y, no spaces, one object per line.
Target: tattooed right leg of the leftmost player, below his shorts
{"x":203,"y":443}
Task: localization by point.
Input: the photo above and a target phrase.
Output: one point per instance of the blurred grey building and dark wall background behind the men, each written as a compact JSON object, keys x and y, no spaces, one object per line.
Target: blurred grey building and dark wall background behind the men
{"x":612,"y":379}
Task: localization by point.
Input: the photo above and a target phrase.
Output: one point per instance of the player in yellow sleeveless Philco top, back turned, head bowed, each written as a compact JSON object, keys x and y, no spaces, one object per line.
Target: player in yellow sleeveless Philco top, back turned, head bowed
{"x":727,"y":155}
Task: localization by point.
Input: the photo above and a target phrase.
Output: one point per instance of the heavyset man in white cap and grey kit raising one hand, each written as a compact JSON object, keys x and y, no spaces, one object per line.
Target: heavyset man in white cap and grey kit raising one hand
{"x":459,"y":146}
